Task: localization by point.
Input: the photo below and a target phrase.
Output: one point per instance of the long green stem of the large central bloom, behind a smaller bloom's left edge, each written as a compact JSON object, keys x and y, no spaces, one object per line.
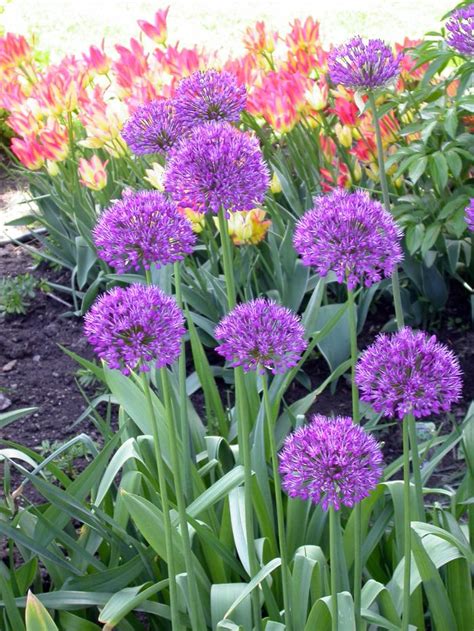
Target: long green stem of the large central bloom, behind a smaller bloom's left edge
{"x":243,"y":429}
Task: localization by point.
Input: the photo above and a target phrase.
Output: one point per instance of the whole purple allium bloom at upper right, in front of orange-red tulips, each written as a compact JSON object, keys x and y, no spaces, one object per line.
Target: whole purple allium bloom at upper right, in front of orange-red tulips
{"x":361,"y":65}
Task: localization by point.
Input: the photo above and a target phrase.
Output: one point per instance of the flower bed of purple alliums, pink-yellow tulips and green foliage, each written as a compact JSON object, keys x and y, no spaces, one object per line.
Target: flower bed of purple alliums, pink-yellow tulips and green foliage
{"x":253,"y":254}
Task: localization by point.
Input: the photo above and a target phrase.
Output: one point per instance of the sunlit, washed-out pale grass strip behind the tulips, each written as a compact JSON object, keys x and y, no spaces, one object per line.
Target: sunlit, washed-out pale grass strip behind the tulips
{"x":70,"y":26}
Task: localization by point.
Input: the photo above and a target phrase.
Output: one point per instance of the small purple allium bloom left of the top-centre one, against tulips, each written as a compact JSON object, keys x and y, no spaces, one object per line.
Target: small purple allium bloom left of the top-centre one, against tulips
{"x":152,"y":128}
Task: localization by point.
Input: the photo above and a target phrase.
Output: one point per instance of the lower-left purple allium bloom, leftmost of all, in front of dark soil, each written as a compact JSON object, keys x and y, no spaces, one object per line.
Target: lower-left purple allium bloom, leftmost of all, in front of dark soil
{"x":134,"y":327}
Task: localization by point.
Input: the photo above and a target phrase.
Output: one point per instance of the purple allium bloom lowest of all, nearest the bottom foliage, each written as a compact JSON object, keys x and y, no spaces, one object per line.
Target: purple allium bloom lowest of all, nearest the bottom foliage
{"x":330,"y":461}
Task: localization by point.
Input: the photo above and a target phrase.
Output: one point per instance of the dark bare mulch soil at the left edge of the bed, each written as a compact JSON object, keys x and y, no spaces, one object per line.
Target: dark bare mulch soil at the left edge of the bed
{"x":34,"y":371}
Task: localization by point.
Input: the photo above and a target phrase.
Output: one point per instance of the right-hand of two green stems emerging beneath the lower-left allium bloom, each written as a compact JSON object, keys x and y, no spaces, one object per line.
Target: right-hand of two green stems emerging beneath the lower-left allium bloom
{"x":196,"y":614}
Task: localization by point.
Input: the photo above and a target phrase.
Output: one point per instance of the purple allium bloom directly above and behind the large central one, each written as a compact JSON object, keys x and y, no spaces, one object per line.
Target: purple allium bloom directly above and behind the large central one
{"x":209,"y":96}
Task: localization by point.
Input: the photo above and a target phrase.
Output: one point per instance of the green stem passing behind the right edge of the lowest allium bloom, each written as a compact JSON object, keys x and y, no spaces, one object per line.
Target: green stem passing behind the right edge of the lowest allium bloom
{"x":352,"y":312}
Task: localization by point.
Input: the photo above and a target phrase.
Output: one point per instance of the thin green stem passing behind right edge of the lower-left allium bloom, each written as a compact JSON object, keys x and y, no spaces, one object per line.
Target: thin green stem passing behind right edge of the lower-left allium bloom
{"x":183,"y":398}
